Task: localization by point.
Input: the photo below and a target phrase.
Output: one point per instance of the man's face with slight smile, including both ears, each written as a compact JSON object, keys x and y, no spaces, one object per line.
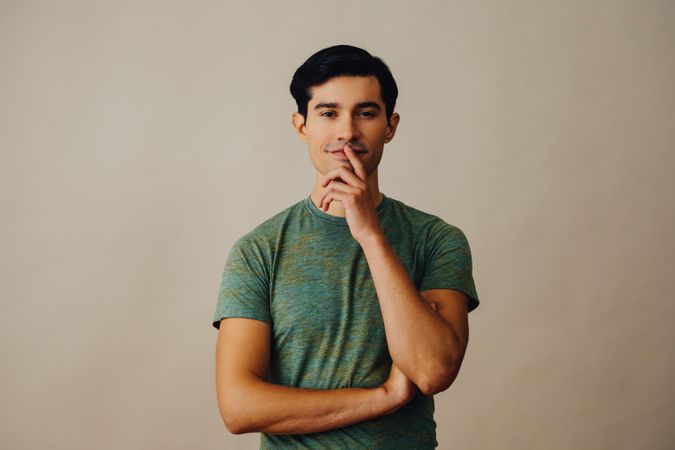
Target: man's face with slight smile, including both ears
{"x":346,"y":109}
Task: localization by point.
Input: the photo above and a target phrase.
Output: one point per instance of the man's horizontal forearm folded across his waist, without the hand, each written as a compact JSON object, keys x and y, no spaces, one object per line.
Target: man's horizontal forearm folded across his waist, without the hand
{"x":259,"y":406}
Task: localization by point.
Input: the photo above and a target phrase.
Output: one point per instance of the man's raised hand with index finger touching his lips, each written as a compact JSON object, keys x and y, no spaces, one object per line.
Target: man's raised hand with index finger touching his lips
{"x":351,"y":188}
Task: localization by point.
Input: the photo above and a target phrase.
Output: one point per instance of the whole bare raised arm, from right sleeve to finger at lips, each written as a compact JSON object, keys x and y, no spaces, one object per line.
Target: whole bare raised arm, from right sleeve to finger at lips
{"x":427,"y":347}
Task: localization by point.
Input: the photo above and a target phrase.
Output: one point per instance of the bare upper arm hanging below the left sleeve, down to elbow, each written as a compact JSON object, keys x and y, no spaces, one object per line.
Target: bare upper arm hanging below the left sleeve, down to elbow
{"x":242,"y":356}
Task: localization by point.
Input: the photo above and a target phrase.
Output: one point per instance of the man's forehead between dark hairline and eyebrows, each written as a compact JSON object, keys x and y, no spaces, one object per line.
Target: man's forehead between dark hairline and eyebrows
{"x":347,"y":90}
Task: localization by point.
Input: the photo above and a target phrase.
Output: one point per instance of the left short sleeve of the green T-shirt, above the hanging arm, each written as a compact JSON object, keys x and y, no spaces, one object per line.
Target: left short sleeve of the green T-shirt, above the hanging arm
{"x":244,"y":284}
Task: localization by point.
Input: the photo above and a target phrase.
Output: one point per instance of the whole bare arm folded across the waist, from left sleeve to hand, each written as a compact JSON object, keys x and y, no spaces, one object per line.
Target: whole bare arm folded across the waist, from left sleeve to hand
{"x":248,"y":403}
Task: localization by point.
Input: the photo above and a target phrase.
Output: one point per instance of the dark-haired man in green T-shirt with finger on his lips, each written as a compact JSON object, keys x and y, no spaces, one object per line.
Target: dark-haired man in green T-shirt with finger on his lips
{"x":341,"y":316}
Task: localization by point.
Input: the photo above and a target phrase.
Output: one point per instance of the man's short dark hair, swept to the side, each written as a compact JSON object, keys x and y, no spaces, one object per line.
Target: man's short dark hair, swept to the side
{"x":342,"y":60}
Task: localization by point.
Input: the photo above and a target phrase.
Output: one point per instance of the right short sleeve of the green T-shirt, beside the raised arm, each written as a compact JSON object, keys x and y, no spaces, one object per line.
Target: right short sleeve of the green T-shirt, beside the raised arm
{"x":447,"y":262}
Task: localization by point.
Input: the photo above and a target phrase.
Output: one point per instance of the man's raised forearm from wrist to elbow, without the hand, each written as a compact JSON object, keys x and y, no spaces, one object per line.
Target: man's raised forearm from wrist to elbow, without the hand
{"x":419,"y":340}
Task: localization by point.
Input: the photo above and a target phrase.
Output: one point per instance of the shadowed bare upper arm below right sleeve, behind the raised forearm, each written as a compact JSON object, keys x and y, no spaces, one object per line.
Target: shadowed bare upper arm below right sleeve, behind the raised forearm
{"x":452,"y":306}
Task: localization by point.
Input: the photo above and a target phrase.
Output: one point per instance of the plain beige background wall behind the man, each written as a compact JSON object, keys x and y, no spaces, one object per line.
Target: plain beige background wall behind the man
{"x":140,"y":139}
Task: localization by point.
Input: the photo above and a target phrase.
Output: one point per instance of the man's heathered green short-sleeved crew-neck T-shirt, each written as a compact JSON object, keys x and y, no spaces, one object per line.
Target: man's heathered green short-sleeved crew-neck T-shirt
{"x":302,"y":272}
